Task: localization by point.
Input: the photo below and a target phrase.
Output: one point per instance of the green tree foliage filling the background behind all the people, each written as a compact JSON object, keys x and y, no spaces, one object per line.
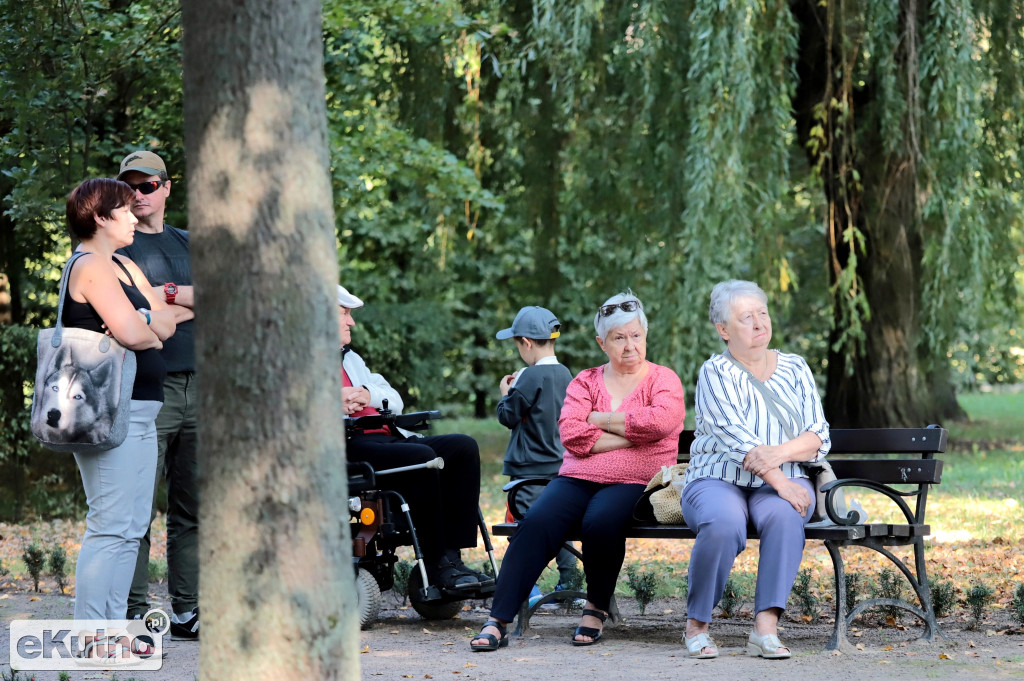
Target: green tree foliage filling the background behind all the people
{"x":488,"y":155}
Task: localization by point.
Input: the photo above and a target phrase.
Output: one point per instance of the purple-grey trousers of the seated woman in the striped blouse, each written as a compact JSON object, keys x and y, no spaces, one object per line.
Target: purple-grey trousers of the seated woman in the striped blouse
{"x":719,"y":514}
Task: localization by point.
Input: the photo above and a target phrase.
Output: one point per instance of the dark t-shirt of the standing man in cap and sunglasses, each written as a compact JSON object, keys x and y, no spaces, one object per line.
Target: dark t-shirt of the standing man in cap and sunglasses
{"x":164,"y":259}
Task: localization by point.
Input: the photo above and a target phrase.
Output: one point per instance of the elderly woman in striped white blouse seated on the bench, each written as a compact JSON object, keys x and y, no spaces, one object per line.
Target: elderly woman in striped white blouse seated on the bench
{"x":758,"y":417}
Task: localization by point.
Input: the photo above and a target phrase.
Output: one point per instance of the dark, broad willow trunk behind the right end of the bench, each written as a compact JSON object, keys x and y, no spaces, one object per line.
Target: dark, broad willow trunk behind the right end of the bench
{"x":885,"y":382}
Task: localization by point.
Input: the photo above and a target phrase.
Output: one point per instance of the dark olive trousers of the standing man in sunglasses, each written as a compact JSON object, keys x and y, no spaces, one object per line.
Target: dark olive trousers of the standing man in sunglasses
{"x":177,"y":461}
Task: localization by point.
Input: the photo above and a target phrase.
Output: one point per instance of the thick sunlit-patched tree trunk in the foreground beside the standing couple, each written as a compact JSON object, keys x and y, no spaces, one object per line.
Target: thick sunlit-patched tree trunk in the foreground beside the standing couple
{"x":278,"y":592}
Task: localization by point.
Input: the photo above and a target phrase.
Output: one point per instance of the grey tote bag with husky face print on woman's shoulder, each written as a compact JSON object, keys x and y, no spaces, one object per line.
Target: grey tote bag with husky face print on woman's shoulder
{"x":84,"y":380}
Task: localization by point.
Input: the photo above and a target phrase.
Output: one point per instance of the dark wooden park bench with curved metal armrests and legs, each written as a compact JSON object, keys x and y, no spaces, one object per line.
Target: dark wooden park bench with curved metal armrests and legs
{"x":899,"y":463}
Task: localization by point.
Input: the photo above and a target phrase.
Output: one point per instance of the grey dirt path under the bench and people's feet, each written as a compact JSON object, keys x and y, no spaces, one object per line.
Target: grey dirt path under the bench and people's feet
{"x":401,"y":646}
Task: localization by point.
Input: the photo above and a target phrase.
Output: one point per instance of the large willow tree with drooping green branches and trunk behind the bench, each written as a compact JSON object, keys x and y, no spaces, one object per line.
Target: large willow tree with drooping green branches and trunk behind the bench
{"x":705,"y":141}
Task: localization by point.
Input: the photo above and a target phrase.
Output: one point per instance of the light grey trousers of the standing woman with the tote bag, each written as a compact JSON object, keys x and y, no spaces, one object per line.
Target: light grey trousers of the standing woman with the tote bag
{"x":119,"y":490}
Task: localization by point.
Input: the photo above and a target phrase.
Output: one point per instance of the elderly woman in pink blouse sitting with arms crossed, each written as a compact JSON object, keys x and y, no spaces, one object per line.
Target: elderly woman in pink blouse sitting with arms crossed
{"x":620,"y":424}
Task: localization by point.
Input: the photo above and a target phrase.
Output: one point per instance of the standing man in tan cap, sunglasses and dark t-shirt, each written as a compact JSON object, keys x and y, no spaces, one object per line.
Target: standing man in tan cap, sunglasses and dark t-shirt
{"x":162,"y":253}
